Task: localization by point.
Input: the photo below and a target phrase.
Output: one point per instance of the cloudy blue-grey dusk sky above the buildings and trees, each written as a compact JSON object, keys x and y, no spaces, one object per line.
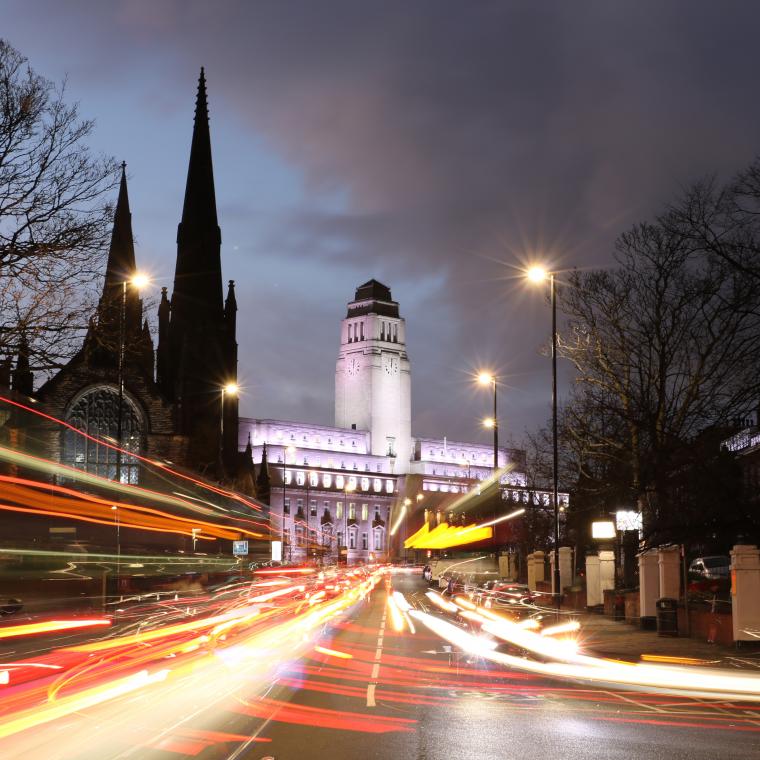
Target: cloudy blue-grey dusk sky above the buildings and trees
{"x":431,"y":145}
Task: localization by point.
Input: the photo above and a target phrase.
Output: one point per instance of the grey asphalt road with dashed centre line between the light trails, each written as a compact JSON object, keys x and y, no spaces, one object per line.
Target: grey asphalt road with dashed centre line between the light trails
{"x":404,"y":696}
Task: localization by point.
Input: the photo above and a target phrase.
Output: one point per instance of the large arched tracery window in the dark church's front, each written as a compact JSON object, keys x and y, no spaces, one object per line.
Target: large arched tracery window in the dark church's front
{"x":96,"y":413}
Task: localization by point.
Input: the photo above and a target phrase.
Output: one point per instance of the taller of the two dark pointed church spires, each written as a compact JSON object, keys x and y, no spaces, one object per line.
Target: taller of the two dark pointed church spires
{"x":198,"y":274}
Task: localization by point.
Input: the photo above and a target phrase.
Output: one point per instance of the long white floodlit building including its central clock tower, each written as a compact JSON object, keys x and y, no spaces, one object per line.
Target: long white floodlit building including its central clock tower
{"x":336,"y":492}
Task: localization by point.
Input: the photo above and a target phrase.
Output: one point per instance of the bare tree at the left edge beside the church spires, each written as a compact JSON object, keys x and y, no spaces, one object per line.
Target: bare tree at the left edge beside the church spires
{"x":54,"y":218}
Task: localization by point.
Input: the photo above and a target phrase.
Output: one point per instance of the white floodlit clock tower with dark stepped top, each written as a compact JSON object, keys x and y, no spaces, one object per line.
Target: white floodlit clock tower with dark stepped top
{"x":372,"y":375}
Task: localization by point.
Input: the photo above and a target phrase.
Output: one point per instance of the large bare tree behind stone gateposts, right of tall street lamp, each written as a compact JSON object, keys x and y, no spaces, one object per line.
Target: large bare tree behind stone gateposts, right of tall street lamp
{"x":663,"y":346}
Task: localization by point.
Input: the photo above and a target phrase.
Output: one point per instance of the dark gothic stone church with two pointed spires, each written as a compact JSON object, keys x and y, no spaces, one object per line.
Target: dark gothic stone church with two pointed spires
{"x":168,"y":403}
